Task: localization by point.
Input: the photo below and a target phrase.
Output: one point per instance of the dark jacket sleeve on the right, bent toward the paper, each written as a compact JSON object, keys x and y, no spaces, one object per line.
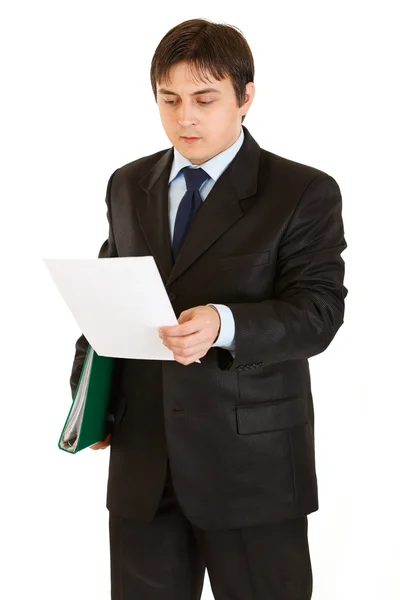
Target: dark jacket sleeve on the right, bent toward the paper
{"x":306,"y":307}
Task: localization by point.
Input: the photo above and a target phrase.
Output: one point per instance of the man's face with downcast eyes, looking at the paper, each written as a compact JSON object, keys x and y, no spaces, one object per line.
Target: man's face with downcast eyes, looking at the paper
{"x":206,"y":111}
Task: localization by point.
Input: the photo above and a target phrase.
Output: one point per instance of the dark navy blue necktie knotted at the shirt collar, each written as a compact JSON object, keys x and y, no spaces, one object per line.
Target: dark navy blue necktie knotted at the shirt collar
{"x":188,"y":207}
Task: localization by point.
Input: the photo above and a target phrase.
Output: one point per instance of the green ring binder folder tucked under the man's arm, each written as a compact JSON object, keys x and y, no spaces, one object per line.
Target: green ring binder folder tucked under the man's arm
{"x":86,"y":423}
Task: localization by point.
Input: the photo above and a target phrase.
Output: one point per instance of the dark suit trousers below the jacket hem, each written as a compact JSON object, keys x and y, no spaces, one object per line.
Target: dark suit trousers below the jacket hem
{"x":166,"y":558}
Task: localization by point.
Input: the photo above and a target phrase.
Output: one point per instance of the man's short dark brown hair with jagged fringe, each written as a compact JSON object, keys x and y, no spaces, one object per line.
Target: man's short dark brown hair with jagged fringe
{"x":210,"y":47}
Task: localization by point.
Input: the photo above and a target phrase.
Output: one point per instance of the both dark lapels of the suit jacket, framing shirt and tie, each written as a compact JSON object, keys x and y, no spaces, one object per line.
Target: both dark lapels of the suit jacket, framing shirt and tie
{"x":220,"y":210}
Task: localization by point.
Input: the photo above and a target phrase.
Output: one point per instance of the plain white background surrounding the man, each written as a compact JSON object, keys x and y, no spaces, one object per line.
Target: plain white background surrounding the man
{"x":76,"y":104}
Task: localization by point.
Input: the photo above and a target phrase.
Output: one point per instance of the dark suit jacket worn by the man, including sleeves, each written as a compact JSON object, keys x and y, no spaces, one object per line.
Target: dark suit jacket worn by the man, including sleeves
{"x":238,"y":432}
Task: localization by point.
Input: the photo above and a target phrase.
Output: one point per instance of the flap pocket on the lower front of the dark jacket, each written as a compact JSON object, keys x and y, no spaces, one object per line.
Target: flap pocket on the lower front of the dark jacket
{"x":271,"y":416}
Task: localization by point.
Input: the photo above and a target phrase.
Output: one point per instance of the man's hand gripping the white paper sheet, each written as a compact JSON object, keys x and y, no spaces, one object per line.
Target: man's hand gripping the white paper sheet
{"x":196,"y":332}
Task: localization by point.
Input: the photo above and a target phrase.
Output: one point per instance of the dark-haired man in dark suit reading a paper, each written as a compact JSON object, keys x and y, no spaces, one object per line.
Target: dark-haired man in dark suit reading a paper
{"x":212,"y":464}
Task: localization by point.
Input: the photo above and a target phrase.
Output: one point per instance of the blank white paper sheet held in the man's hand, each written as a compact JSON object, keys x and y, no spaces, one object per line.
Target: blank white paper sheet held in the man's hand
{"x":118,"y":303}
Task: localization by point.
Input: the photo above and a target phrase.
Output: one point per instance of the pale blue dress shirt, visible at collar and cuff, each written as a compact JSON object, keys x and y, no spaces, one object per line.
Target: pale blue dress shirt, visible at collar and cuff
{"x":177,"y":189}
